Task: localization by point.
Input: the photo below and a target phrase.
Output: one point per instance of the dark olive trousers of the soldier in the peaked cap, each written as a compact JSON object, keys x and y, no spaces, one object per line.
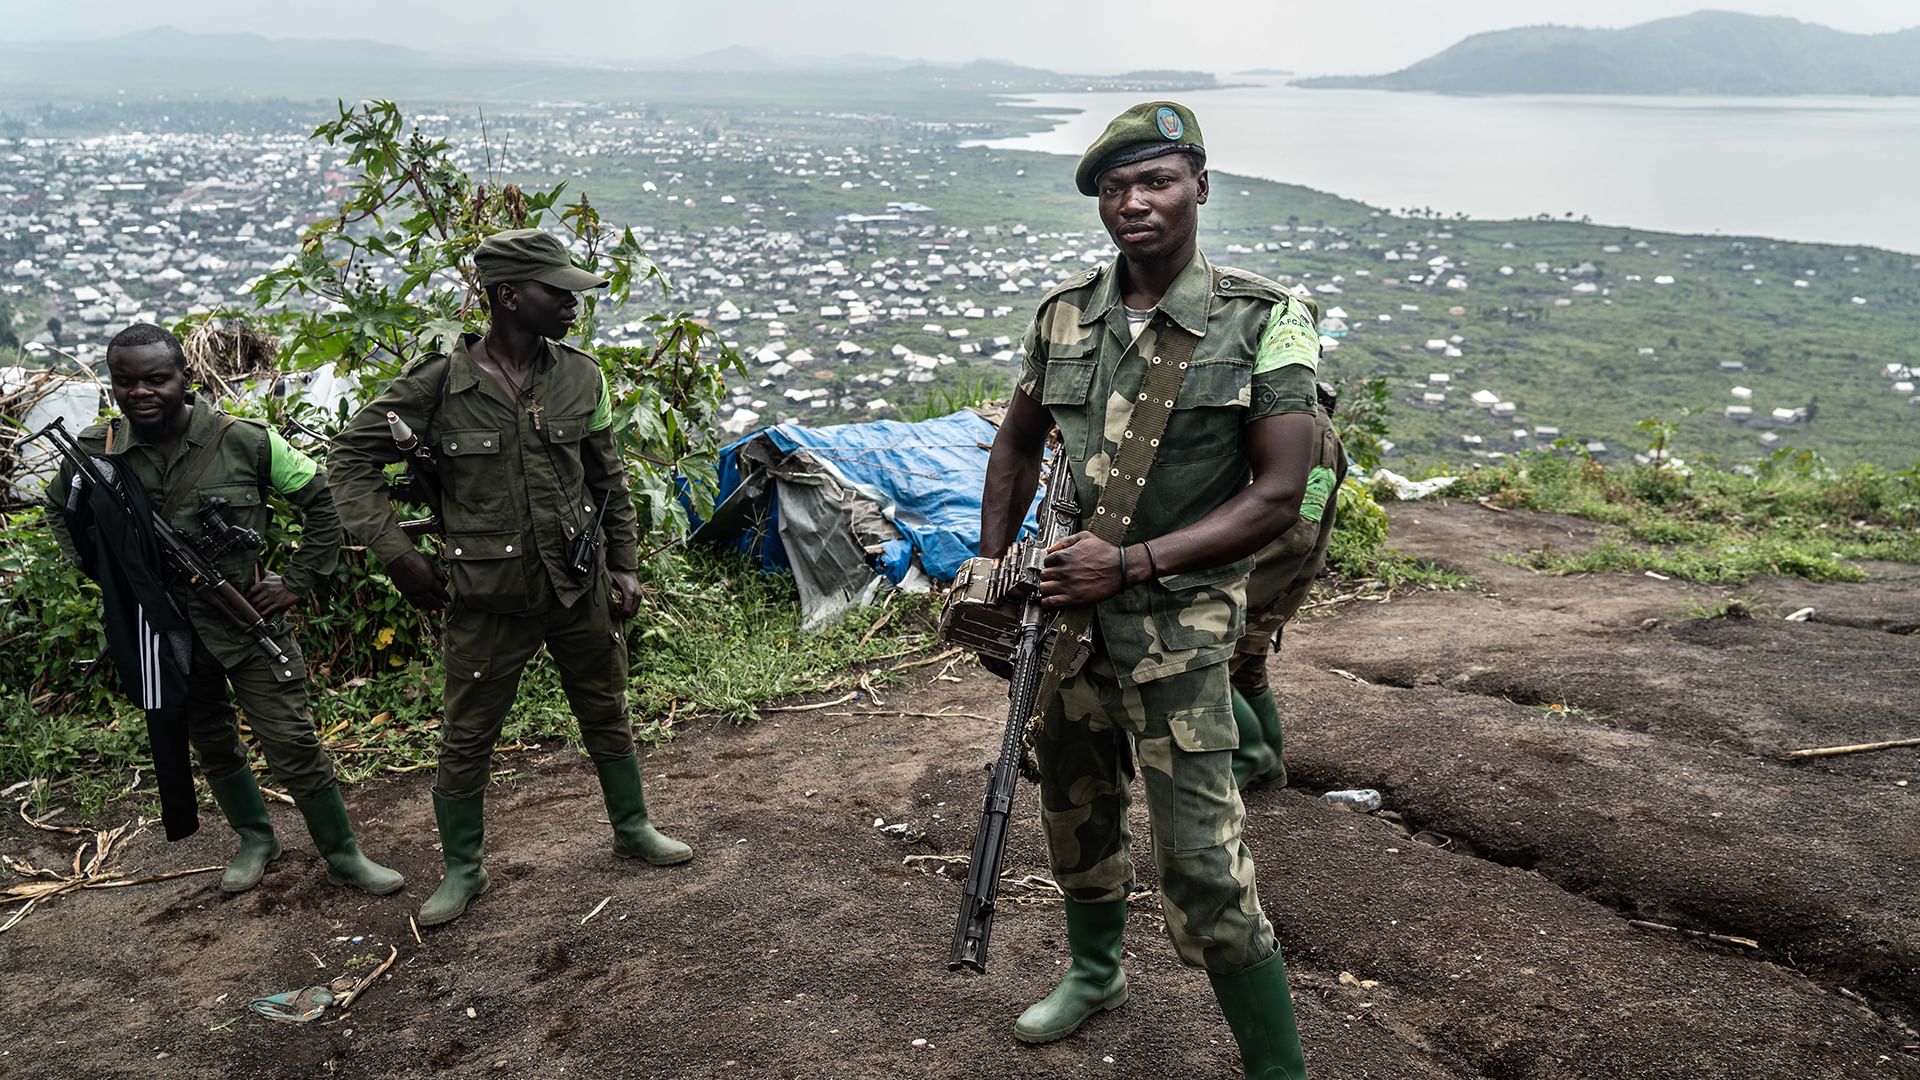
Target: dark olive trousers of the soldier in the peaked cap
{"x":485,"y":654}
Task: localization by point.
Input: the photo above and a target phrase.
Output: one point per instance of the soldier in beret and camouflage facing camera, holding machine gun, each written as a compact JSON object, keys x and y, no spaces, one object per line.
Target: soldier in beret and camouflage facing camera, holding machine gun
{"x":1226,"y":362}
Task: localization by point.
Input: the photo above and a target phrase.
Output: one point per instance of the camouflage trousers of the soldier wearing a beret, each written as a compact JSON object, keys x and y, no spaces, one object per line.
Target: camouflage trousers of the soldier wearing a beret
{"x":1182,"y":735}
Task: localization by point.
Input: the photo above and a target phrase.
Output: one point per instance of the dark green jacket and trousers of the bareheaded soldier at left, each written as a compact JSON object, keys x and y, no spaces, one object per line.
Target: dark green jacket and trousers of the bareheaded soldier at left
{"x":249,"y":464}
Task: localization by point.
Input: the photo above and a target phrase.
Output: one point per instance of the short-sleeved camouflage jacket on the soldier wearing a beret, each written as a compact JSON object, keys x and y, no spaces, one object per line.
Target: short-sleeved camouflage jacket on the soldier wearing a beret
{"x":1257,"y":356}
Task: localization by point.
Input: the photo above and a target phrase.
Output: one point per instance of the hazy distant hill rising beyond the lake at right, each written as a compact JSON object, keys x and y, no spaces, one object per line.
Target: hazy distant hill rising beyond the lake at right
{"x":1706,"y":53}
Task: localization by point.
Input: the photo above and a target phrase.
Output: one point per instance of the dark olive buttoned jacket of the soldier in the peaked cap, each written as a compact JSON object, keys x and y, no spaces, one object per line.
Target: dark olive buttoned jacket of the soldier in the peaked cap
{"x":516,"y":495}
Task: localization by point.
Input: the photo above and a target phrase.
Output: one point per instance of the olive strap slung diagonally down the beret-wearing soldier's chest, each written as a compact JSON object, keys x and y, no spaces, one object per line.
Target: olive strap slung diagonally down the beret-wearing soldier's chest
{"x":1126,"y":479}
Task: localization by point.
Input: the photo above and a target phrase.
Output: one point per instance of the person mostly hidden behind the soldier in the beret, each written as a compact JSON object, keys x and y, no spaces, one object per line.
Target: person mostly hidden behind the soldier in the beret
{"x":1284,"y":576}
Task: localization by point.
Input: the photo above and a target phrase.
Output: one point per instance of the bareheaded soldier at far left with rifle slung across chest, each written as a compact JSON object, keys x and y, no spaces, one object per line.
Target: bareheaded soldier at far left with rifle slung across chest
{"x":191,"y":456}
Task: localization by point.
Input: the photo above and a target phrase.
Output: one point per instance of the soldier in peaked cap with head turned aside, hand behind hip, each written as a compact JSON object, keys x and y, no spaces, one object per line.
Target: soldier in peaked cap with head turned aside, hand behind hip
{"x":523,"y":428}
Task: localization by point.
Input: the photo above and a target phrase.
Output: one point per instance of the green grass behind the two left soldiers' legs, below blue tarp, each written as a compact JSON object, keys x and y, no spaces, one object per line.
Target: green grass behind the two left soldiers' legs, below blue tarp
{"x":721,"y":639}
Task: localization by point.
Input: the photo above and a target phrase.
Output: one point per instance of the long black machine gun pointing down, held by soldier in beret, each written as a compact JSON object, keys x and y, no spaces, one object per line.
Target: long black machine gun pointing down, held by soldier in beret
{"x":1019,"y":577}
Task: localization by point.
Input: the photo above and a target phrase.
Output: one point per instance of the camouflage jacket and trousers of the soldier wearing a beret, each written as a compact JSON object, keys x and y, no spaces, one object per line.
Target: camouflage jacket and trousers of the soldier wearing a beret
{"x":1157,"y":687}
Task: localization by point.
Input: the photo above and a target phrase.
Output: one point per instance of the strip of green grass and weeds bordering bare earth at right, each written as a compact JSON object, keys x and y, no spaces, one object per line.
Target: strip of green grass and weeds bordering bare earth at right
{"x":1794,"y":516}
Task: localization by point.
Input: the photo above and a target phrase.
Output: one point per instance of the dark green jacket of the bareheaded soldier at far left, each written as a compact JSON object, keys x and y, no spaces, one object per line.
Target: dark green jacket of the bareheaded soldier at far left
{"x":251,"y":464}
